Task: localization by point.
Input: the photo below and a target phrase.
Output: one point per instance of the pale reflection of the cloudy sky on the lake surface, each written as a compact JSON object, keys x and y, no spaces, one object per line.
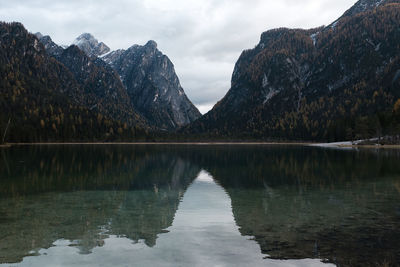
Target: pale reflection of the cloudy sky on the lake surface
{"x":203,"y":233}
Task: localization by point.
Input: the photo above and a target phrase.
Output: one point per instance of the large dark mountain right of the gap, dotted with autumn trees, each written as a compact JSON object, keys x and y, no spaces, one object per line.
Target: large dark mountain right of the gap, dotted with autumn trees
{"x":330,"y":83}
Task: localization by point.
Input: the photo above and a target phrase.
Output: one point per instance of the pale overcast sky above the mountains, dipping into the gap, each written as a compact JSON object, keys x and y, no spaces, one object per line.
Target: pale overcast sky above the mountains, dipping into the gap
{"x":203,"y":38}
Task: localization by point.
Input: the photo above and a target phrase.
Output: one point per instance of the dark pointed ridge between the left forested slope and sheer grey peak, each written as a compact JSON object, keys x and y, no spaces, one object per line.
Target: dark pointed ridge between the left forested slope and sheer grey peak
{"x":103,"y":89}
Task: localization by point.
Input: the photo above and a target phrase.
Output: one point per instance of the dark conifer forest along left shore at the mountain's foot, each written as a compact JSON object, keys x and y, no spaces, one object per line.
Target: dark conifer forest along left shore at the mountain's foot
{"x":44,"y":117}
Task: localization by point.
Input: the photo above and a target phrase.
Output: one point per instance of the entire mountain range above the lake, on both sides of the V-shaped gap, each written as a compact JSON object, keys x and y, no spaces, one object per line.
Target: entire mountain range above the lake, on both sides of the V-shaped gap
{"x":332,"y":83}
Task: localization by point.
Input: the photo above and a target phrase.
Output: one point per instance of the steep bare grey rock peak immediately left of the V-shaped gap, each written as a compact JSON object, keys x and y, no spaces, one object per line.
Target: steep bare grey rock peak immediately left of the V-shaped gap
{"x":153,"y":86}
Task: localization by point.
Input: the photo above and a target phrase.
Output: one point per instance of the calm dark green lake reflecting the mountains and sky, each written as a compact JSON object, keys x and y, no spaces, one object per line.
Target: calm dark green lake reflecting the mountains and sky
{"x":204,"y":205}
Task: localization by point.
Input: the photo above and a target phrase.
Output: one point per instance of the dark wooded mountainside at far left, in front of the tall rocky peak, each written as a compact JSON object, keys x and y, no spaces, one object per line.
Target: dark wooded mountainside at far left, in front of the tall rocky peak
{"x":46,"y":101}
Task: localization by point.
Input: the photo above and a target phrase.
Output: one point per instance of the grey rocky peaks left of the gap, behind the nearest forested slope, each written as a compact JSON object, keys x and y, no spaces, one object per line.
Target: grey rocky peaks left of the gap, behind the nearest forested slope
{"x":140,"y":79}
